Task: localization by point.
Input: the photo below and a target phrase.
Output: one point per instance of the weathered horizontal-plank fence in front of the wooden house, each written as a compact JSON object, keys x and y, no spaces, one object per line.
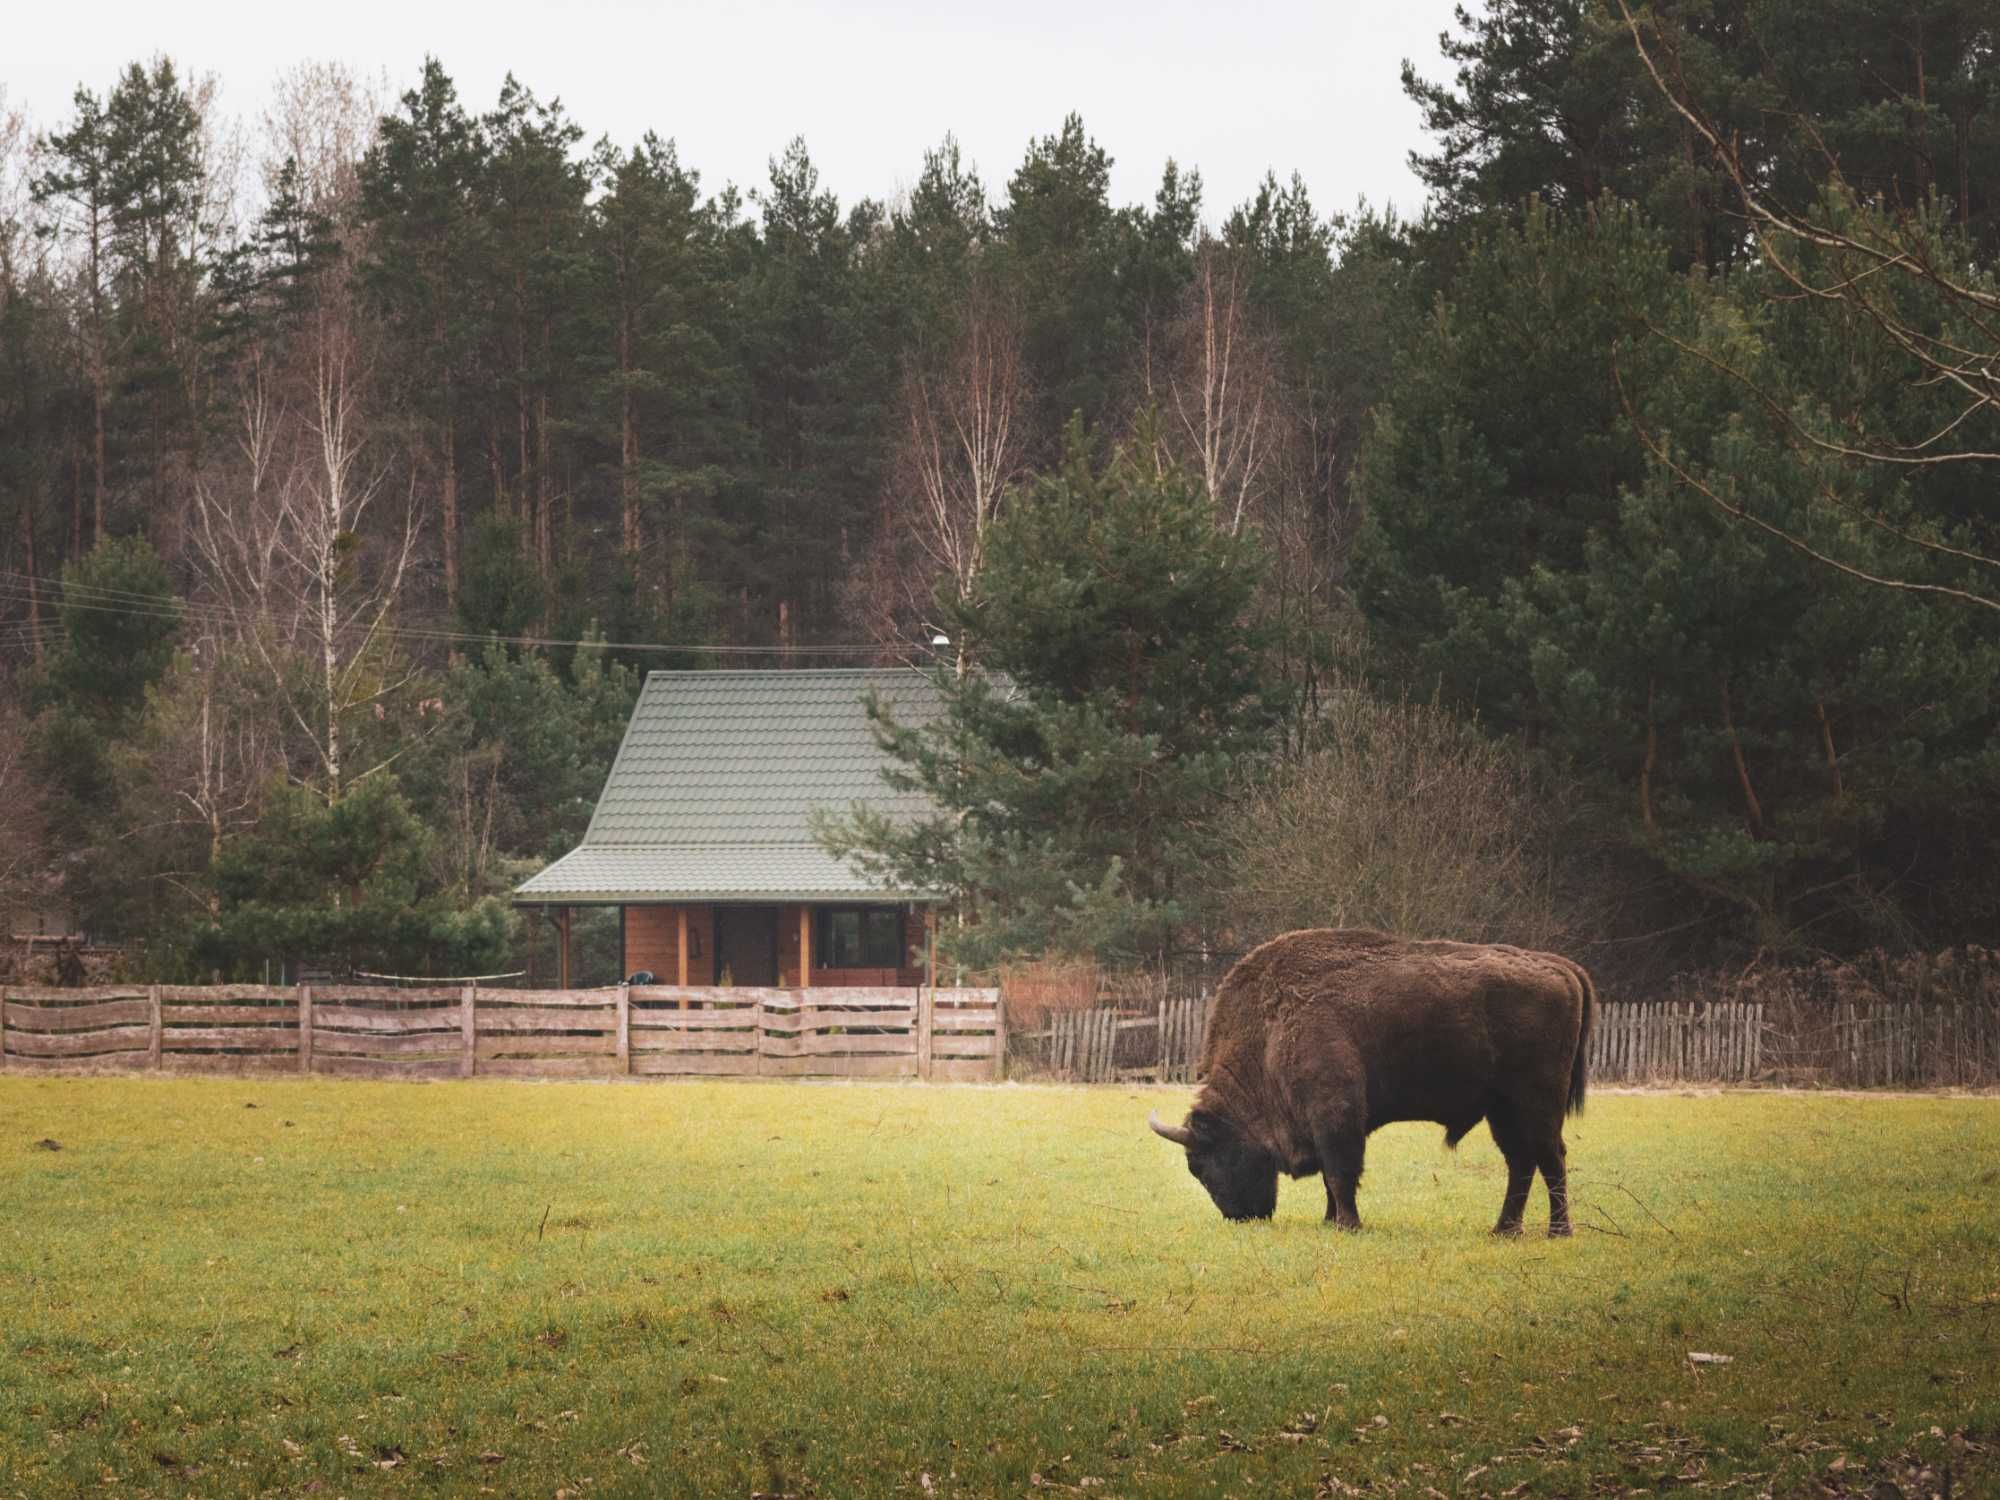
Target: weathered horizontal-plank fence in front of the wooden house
{"x":465,"y":1031}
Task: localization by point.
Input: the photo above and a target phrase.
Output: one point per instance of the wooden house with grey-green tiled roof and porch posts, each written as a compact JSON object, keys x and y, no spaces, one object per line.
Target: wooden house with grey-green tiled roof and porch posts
{"x":703,"y":843}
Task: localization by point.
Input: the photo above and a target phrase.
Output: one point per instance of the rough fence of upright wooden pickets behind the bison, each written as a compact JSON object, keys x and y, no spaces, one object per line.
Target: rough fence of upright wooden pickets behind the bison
{"x":1845,"y":1045}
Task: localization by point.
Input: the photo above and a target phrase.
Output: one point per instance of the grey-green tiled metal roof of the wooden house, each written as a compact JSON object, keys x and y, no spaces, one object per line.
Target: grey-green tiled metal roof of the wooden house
{"x":717,"y":777}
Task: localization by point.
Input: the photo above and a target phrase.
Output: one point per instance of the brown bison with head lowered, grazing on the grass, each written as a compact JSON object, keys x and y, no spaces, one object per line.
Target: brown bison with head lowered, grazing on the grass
{"x":1323,"y":1037}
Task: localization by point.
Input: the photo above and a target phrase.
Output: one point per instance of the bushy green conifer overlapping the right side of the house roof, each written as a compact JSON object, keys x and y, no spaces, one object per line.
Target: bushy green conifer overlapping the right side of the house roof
{"x":1119,"y":693}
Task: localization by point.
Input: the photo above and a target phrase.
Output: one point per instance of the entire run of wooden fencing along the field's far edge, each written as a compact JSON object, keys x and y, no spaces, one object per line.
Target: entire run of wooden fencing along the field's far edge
{"x":893,"y":1033}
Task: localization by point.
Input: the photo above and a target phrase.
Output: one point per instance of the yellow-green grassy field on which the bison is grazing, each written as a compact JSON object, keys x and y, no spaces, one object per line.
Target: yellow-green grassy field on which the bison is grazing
{"x":727,"y":1289}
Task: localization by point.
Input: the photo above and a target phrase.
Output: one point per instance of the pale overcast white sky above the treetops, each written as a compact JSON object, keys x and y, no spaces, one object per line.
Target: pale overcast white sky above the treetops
{"x":871,"y":83}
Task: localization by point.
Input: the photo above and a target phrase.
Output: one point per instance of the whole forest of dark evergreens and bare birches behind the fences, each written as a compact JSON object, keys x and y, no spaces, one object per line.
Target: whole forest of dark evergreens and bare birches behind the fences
{"x":1603,"y":555}
